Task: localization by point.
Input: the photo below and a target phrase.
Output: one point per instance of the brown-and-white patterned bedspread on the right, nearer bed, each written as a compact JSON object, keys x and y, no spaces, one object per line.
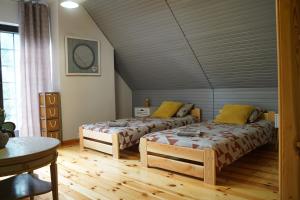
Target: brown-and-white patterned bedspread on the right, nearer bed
{"x":229,"y":141}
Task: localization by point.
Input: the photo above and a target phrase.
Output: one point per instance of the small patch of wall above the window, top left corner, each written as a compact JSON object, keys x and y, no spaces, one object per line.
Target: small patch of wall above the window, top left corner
{"x":9,"y":12}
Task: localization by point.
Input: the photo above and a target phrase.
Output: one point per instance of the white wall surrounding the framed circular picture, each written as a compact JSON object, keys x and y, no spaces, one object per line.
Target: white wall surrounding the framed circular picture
{"x":84,"y":99}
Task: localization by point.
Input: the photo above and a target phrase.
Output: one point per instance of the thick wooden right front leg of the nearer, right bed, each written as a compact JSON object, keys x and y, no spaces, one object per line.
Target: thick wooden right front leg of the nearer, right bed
{"x":209,"y":167}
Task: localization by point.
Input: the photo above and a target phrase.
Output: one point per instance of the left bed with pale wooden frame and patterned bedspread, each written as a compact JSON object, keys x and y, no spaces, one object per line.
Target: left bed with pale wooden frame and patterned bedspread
{"x":111,"y":140}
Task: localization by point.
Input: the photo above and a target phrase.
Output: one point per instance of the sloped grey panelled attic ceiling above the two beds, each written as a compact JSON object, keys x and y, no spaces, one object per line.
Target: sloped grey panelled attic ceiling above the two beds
{"x":234,"y":41}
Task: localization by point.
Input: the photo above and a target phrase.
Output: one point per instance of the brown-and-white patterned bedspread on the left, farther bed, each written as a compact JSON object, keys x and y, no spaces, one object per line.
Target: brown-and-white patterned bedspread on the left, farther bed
{"x":137,"y":127}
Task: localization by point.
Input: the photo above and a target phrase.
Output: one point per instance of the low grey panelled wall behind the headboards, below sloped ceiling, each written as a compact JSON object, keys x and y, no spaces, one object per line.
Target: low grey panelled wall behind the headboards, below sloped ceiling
{"x":210,"y":101}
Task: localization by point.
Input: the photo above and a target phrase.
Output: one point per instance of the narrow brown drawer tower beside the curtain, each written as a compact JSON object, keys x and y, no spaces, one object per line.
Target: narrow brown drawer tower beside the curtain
{"x":50,"y":114}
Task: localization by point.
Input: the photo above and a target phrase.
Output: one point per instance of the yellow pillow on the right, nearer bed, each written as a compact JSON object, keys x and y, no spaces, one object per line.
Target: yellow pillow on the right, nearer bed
{"x":234,"y":114}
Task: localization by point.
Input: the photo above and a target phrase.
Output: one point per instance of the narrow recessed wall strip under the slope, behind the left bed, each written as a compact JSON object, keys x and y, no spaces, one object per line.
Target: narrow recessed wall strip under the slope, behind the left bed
{"x":123,"y":98}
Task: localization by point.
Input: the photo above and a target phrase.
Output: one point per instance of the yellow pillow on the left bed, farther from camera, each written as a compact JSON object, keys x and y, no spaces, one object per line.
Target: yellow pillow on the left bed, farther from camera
{"x":167,"y":109}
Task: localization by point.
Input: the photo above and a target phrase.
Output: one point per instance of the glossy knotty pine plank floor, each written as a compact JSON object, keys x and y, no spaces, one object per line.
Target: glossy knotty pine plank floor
{"x":93,"y":175}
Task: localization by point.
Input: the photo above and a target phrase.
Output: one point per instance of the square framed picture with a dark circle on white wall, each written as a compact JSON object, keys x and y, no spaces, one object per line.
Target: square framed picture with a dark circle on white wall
{"x":82,"y":56}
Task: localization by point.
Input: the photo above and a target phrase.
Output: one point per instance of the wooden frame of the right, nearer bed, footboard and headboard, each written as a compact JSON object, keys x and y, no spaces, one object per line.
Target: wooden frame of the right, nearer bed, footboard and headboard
{"x":193,"y":162}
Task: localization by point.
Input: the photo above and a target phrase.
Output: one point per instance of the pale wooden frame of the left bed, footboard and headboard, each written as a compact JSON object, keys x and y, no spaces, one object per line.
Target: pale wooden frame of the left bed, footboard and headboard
{"x":109,"y":143}
